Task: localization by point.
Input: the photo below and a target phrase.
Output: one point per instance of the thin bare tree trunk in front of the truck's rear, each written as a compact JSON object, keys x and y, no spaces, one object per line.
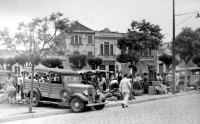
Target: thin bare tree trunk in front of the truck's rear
{"x":31,"y":93}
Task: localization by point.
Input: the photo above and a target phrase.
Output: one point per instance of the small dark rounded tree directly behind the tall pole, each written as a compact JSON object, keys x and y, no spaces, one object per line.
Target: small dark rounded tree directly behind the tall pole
{"x":167,"y":60}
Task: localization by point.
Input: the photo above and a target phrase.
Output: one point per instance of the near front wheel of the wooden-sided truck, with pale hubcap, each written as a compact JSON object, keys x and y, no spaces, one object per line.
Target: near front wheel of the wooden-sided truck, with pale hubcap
{"x":77,"y":105}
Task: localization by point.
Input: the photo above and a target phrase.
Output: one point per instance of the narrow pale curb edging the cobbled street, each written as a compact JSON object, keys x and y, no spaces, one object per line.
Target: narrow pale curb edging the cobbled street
{"x":44,"y":114}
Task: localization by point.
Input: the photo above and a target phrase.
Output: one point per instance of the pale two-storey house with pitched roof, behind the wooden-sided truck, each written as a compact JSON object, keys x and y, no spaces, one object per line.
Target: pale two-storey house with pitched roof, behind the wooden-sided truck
{"x":80,"y":41}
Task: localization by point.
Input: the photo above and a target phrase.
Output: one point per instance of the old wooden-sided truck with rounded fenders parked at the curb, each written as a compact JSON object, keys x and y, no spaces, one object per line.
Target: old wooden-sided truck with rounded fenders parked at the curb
{"x":63,"y":87}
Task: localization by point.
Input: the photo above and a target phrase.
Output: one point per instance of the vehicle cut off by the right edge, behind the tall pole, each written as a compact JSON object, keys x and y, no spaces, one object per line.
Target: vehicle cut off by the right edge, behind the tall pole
{"x":193,"y":76}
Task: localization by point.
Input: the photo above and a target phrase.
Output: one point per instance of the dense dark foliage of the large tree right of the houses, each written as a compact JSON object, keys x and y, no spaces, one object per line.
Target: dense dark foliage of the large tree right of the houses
{"x":141,"y":37}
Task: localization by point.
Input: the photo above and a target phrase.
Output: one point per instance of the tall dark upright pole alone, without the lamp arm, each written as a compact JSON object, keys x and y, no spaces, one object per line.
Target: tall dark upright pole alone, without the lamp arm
{"x":173,"y":51}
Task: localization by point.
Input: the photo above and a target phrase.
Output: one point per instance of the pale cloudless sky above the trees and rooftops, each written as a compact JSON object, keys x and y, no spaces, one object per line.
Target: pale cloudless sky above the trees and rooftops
{"x":116,"y":15}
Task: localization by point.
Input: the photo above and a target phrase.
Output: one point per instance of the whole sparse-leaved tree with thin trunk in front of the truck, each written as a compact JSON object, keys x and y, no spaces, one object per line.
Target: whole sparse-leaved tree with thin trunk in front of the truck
{"x":37,"y":38}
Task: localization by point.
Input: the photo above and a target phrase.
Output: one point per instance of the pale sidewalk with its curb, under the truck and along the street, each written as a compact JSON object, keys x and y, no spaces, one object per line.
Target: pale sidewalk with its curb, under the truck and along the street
{"x":13,"y":112}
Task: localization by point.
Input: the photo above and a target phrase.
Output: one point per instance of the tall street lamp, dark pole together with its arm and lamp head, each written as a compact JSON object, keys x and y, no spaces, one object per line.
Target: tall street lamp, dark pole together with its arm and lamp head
{"x":173,"y":47}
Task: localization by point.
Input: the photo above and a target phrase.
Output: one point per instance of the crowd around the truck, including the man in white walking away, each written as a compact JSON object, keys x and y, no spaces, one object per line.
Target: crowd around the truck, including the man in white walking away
{"x":102,"y":82}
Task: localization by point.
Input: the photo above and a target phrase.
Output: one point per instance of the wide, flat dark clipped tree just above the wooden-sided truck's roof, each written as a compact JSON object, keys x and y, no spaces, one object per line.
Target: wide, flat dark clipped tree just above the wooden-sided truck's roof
{"x":52,"y":62}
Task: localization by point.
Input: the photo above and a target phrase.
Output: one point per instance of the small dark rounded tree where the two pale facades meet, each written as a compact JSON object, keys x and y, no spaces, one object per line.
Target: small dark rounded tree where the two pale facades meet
{"x":94,"y":62}
